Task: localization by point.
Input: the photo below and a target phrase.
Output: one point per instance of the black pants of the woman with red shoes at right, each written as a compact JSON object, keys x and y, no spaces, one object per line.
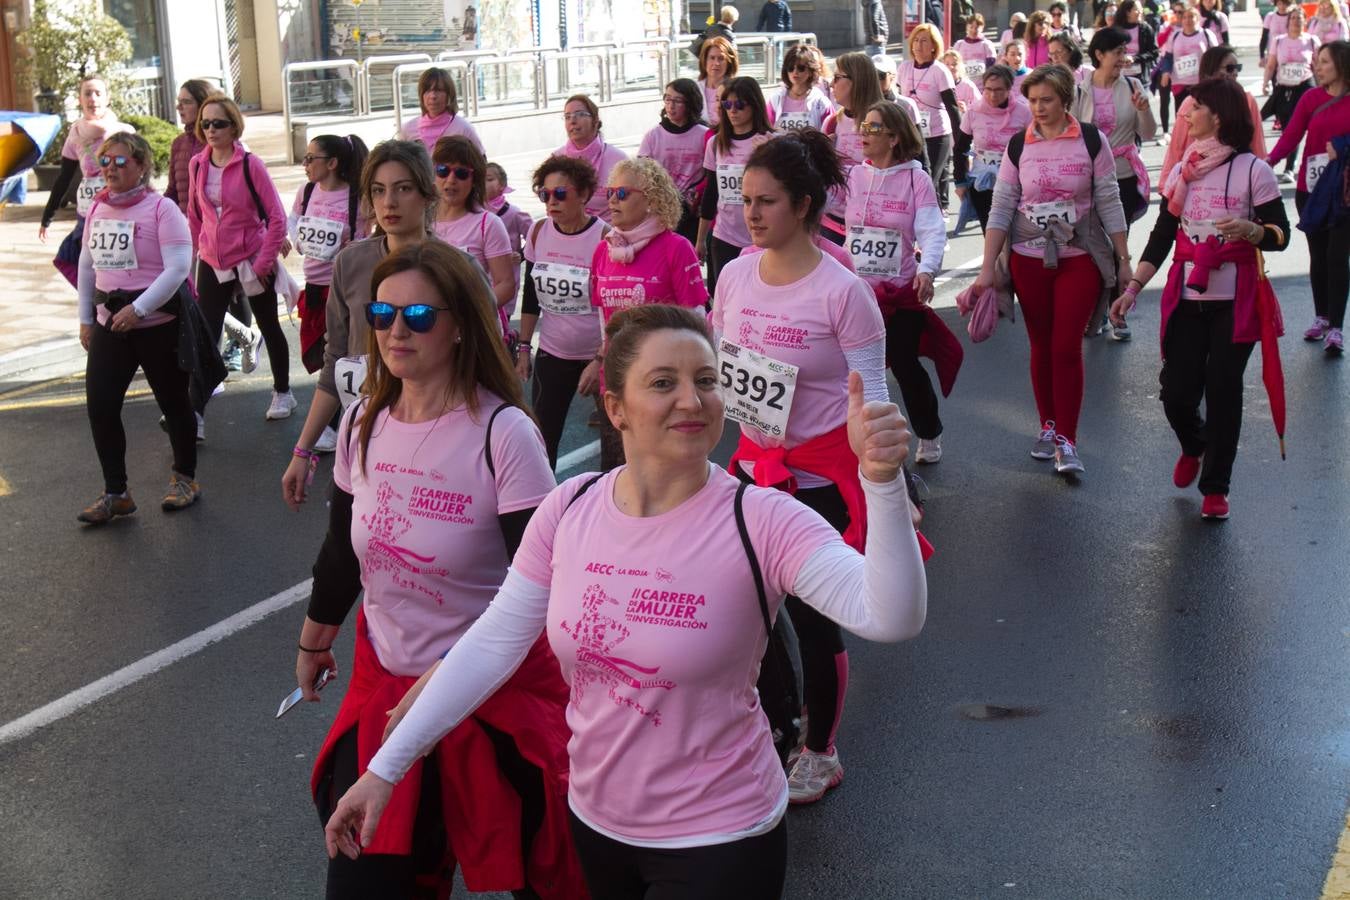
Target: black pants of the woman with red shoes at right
{"x":1201,"y":361}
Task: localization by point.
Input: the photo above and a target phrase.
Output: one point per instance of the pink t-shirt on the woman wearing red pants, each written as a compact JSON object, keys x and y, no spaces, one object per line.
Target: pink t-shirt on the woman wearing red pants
{"x":1056,"y":171}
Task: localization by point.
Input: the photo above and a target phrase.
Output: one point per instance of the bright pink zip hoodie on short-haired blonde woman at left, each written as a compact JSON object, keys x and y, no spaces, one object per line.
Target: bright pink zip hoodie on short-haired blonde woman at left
{"x":236,"y":234}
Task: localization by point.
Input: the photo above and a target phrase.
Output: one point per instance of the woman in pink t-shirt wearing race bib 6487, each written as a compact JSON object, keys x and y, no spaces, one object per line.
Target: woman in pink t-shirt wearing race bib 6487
{"x":892,"y":211}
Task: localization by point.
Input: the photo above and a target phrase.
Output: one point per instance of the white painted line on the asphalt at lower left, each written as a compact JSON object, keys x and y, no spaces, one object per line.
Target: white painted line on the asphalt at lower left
{"x":126,"y":677}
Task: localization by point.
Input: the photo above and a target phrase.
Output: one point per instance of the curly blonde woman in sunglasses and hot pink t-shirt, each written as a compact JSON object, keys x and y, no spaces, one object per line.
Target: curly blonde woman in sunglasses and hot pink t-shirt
{"x":641,"y":262}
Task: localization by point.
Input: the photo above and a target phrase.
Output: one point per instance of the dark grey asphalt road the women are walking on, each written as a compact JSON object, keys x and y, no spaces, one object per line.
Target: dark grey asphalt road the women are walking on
{"x":1177,"y":690}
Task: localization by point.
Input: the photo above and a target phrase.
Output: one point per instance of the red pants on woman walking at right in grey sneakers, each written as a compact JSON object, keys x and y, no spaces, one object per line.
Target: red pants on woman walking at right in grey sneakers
{"x":1058,"y":304}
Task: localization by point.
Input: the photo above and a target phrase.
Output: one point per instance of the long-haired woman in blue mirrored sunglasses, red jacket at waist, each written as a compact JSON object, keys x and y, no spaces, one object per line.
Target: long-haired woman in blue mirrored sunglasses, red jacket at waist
{"x":438,"y":473}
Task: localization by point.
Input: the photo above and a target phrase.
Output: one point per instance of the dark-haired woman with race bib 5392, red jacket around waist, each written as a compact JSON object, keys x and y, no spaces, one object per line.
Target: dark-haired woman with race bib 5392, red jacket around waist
{"x":794,"y":323}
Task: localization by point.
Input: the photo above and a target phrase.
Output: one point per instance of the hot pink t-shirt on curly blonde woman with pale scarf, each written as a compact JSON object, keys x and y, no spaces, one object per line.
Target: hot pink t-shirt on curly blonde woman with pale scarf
{"x":665,"y":272}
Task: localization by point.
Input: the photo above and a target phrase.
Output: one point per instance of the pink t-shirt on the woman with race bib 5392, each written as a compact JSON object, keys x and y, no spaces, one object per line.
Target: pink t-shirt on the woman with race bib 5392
{"x":808,"y":325}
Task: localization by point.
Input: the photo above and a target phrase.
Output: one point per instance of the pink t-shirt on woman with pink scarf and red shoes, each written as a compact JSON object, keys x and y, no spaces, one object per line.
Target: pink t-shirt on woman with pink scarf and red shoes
{"x":1221,"y":194}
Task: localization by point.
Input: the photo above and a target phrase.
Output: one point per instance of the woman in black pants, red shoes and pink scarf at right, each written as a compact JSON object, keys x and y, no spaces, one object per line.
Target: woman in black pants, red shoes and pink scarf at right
{"x":1222,"y":199}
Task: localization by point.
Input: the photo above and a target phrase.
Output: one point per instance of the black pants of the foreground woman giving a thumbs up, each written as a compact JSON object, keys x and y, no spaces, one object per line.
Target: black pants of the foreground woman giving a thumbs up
{"x":747,"y":870}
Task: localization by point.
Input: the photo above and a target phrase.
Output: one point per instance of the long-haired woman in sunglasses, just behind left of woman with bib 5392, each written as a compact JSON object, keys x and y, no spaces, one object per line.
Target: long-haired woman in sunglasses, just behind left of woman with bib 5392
{"x":745,"y":128}
